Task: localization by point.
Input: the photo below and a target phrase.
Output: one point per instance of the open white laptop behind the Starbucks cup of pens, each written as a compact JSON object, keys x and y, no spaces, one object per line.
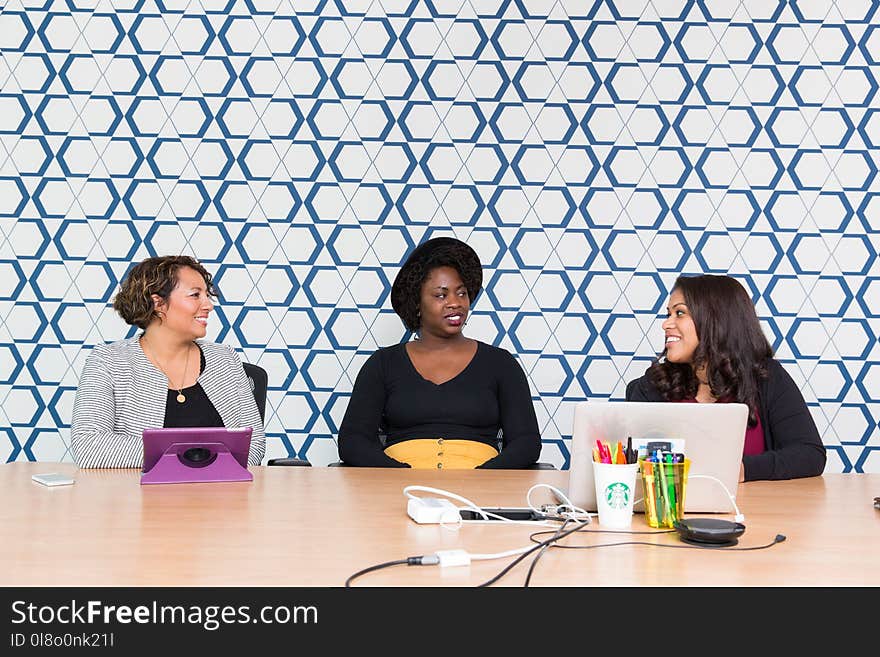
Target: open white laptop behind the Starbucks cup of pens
{"x":710,"y":435}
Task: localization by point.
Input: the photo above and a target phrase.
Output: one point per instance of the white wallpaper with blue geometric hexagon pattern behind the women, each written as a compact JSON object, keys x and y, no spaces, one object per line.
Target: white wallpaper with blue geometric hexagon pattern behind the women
{"x":589,"y":150}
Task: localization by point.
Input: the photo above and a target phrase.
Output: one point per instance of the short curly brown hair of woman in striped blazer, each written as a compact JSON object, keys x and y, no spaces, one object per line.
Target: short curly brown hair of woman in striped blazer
{"x":158,"y":275}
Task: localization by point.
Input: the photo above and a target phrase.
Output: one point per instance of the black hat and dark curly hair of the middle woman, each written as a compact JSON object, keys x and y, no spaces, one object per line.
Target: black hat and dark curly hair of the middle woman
{"x":406,"y":292}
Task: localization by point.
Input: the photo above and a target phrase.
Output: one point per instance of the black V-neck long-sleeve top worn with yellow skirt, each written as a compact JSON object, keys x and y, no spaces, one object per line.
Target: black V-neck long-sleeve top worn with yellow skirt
{"x":391,"y":398}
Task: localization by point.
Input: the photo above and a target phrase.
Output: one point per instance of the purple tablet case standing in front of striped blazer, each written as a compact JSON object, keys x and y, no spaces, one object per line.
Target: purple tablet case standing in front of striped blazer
{"x":197,"y":454}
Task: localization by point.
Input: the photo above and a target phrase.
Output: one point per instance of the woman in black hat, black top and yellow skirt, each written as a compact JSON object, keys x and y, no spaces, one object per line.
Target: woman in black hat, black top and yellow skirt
{"x":441,"y":400}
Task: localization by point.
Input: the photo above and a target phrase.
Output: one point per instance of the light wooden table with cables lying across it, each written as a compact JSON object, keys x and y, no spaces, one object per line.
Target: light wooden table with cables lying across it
{"x":301,"y":526}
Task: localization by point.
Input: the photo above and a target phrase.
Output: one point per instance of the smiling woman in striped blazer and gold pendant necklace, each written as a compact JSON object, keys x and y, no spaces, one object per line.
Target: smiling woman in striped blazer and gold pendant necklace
{"x":165,"y":376}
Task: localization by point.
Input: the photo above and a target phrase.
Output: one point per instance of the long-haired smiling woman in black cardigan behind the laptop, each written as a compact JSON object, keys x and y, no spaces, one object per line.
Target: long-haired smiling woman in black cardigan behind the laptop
{"x":715,"y":351}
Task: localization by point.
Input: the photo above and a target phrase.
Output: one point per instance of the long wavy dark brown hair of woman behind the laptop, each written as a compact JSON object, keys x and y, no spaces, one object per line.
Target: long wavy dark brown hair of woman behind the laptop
{"x":732,"y":346}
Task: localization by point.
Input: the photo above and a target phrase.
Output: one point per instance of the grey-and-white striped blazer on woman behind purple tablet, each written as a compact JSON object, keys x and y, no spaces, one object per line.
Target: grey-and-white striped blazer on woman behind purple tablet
{"x":121,"y":393}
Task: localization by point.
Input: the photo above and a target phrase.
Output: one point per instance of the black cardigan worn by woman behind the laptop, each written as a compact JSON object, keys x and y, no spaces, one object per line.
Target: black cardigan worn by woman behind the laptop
{"x":792,"y":444}
